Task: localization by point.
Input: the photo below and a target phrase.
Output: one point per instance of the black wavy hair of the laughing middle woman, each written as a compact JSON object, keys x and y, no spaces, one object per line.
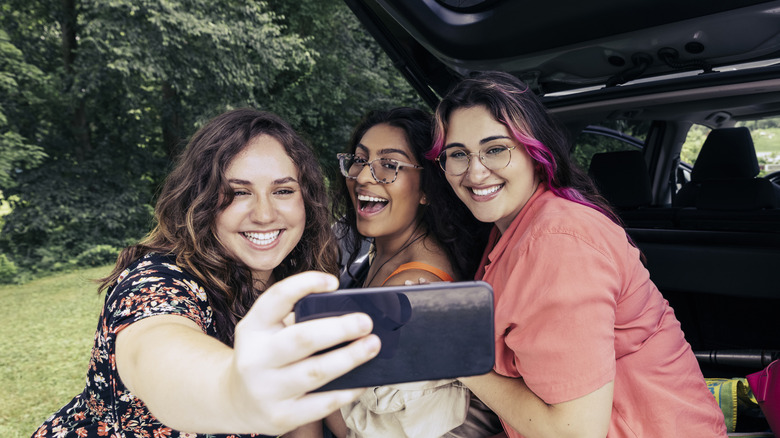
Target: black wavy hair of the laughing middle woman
{"x":444,"y":216}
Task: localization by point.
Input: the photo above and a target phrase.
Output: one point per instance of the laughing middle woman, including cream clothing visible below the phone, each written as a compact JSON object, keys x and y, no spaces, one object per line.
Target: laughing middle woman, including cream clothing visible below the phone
{"x":399,"y":201}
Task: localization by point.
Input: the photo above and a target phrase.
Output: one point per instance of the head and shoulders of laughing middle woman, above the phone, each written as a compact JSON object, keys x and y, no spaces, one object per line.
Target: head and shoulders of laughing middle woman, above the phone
{"x":395,"y":198}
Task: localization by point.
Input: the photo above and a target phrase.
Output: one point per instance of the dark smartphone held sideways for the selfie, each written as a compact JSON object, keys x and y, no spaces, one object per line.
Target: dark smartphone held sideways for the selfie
{"x":428,"y":332}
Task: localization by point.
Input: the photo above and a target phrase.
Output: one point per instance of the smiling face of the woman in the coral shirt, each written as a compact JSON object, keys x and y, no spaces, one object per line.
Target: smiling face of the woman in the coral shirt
{"x":492,"y":195}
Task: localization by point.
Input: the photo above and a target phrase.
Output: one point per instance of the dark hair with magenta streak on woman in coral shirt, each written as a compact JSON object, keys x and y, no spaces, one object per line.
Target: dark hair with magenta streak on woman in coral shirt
{"x":514,"y":105}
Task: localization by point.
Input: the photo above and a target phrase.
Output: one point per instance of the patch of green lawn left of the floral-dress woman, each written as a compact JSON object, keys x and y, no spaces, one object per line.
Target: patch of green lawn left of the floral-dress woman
{"x":46,"y":333}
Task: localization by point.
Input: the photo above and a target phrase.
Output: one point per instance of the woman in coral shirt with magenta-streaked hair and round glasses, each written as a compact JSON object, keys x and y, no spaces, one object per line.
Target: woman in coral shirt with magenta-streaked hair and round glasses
{"x":586,"y":345}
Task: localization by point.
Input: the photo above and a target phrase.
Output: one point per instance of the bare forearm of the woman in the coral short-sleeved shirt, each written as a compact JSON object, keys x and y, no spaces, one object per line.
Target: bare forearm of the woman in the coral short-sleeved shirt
{"x":524,"y":411}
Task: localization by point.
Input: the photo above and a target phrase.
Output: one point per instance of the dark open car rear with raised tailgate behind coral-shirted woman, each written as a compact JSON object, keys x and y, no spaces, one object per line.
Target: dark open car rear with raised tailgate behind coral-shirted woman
{"x":674,"y":110}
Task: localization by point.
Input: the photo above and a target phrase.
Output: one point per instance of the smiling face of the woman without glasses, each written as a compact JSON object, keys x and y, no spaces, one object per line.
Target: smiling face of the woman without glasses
{"x":267,"y":217}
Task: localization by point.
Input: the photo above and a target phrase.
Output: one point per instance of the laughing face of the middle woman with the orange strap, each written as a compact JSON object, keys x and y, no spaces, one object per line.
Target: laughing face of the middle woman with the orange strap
{"x":386,"y":211}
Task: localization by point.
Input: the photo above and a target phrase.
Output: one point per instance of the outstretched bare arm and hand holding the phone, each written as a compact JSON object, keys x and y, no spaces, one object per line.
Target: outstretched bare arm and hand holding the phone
{"x":194,"y":383}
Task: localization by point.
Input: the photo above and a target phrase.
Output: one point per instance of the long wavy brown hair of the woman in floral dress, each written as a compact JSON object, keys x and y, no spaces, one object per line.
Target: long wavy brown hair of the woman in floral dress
{"x":188,"y":205}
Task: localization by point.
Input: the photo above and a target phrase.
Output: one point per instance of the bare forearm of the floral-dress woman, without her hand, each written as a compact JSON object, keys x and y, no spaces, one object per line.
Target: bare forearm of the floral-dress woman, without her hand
{"x":187,"y":383}
